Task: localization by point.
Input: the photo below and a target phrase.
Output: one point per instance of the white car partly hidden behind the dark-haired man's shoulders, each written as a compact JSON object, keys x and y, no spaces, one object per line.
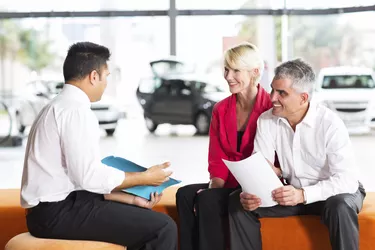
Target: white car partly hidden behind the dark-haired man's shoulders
{"x":38,"y":93}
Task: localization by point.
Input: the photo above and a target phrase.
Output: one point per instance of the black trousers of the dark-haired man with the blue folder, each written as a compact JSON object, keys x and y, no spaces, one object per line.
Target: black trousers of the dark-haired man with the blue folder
{"x":87,"y":216}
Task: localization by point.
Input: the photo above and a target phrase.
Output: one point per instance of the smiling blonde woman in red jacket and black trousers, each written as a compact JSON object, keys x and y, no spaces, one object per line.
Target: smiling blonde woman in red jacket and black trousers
{"x":203,"y":208}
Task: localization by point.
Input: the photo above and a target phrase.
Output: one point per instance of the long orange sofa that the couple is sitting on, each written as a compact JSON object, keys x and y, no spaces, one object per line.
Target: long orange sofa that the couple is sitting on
{"x":302,"y":233}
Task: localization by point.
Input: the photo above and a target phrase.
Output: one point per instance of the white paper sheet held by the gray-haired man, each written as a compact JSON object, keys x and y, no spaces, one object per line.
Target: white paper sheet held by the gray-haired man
{"x":256,"y":177}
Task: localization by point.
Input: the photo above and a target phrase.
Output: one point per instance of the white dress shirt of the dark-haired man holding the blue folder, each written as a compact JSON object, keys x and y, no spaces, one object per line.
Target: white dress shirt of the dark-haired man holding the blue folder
{"x":62,"y":153}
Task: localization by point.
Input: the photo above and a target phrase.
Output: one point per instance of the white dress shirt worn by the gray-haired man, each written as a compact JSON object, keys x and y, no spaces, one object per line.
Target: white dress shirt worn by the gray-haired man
{"x":317,"y":156}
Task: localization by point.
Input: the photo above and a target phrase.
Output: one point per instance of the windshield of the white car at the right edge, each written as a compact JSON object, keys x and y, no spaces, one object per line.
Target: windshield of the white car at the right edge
{"x":348,"y":82}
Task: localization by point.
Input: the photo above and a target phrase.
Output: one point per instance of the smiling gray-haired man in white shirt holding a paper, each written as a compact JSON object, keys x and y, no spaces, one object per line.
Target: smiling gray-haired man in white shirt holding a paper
{"x":316,"y":159}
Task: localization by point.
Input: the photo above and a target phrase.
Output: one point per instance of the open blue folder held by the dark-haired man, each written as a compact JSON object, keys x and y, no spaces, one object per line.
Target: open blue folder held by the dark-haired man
{"x":128,"y":166}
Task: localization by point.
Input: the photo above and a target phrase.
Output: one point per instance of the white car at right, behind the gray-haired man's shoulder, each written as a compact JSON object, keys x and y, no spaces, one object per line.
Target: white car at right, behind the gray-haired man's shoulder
{"x":350,"y":92}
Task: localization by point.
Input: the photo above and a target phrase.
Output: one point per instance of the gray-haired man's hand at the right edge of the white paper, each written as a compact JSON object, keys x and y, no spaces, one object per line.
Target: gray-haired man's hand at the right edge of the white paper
{"x":288,"y":195}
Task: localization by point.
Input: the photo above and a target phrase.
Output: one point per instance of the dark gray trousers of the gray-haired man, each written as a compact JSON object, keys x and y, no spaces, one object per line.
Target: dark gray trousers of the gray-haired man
{"x":339,"y":213}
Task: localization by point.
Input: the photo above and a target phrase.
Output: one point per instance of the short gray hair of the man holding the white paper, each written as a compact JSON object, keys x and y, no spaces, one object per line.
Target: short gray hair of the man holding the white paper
{"x":300,"y":73}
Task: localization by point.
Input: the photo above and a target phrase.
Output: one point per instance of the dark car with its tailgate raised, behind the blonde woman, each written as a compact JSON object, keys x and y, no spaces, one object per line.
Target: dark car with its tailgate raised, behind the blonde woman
{"x":178,"y":98}
